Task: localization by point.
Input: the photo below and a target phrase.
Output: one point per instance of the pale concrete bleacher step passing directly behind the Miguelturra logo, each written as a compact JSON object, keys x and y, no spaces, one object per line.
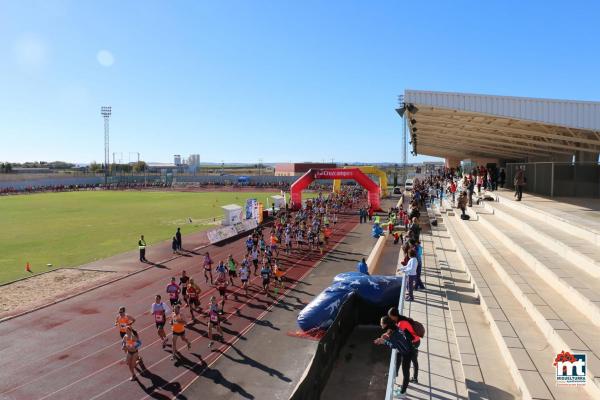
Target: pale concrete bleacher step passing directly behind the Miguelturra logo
{"x":565,"y":327}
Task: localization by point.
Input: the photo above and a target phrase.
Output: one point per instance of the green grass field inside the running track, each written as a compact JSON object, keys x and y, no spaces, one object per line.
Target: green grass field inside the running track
{"x":73,"y":228}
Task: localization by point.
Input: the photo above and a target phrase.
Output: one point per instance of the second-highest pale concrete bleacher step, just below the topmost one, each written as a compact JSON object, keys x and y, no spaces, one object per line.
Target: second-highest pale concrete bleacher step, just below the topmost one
{"x":583,"y":254}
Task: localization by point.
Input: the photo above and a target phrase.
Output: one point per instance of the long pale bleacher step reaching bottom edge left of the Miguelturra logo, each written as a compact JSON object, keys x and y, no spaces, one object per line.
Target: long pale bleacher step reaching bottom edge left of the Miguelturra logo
{"x":524,"y":347}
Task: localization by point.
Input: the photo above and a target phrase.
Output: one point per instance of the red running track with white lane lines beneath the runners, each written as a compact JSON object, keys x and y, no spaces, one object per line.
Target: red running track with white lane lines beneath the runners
{"x":71,"y":350}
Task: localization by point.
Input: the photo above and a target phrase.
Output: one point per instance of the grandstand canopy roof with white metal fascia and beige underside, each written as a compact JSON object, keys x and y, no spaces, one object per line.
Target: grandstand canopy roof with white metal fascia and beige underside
{"x":460,"y":125}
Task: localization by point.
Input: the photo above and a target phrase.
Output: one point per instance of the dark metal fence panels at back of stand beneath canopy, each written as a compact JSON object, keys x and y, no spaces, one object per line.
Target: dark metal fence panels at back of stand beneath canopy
{"x":558,"y":179}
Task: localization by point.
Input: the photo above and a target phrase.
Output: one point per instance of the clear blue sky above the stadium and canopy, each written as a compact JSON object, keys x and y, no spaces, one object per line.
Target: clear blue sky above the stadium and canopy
{"x":277,"y":80}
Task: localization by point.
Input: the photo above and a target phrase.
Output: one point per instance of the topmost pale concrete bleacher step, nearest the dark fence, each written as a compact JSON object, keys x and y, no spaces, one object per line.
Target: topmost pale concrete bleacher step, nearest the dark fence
{"x":557,"y":219}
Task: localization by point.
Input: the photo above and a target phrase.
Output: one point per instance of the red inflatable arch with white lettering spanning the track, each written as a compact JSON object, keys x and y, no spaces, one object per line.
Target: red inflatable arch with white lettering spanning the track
{"x":335,"y":173}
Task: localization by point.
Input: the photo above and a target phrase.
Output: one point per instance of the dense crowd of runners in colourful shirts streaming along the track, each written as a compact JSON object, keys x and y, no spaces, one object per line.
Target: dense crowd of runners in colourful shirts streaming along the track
{"x":291,"y":234}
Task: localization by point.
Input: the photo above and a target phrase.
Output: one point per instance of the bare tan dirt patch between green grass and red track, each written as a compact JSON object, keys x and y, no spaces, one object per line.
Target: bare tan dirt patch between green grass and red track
{"x":45,"y":288}
